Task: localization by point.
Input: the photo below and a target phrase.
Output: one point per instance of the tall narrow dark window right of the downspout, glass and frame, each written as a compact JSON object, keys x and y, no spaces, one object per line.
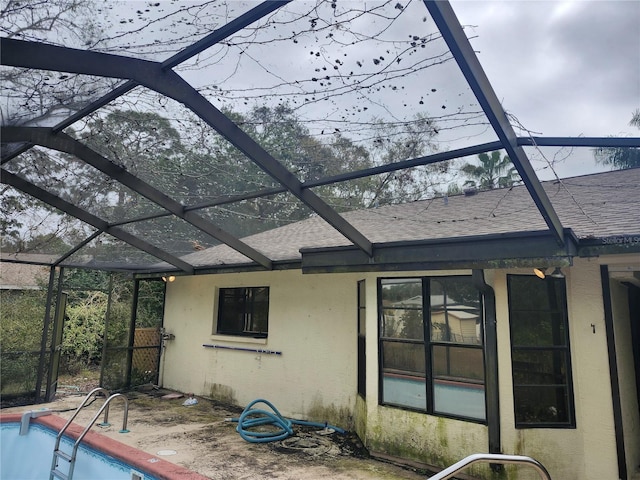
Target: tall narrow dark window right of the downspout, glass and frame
{"x":540,"y":356}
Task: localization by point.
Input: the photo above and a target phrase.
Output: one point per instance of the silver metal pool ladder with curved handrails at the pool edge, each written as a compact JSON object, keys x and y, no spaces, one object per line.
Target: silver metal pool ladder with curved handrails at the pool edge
{"x":71,"y":458}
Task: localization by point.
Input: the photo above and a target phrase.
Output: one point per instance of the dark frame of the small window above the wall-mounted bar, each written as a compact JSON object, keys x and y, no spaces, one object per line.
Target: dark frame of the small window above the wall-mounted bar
{"x":248,"y":303}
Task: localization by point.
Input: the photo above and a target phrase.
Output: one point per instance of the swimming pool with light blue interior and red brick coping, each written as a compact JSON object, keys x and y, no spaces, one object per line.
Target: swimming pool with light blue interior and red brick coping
{"x":99,"y":457}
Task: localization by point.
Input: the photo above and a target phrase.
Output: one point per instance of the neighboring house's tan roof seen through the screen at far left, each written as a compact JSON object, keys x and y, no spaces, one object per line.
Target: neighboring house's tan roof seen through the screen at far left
{"x":23,"y":276}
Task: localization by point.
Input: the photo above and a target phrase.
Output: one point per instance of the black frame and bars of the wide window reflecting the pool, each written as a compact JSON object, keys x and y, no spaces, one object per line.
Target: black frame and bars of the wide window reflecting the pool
{"x":428,"y":345}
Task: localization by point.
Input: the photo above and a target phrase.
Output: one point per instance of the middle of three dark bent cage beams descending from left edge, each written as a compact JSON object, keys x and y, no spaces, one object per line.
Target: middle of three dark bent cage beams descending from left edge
{"x":64,"y":143}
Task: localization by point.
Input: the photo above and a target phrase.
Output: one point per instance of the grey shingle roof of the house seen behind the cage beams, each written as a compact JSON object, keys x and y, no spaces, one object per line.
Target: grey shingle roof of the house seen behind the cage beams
{"x":592,"y":206}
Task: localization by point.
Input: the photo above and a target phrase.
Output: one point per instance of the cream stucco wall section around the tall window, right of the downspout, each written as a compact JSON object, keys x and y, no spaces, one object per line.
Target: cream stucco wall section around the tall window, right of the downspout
{"x":589,"y":450}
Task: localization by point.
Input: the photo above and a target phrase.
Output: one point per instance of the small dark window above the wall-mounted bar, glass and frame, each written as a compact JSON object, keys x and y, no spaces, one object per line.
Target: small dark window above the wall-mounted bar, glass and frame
{"x":243,"y":311}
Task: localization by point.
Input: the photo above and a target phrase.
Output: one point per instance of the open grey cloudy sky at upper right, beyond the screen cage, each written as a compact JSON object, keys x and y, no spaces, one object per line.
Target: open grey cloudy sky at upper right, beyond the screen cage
{"x":562,"y":68}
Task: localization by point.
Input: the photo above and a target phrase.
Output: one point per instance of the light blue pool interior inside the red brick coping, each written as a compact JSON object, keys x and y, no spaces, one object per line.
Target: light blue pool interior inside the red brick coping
{"x":29,"y":457}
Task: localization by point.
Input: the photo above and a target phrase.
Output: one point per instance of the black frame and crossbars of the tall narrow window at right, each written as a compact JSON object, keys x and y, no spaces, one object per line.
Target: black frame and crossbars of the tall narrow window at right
{"x":561,"y":312}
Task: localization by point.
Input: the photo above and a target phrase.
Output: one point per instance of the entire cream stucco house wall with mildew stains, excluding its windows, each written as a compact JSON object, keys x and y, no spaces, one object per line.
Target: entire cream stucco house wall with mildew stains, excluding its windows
{"x":313,"y":323}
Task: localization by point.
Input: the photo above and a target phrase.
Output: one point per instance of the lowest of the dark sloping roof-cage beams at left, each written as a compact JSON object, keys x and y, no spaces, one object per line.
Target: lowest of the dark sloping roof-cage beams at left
{"x":23,"y":185}
